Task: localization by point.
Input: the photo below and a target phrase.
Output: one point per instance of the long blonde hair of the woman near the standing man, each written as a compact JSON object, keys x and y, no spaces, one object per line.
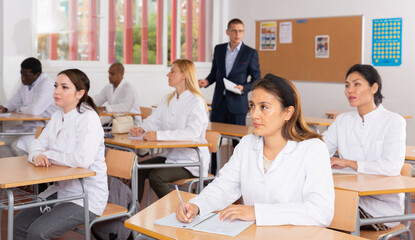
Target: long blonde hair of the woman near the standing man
{"x":188,"y":69}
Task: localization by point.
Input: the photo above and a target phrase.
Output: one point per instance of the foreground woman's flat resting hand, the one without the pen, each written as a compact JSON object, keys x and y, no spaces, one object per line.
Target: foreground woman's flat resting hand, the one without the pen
{"x":241,"y":212}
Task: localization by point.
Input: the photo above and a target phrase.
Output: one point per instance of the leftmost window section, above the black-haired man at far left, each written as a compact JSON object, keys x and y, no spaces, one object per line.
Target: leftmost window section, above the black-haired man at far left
{"x":68,"y":30}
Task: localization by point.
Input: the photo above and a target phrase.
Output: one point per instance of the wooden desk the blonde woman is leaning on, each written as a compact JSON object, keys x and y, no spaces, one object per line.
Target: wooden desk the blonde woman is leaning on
{"x":122,"y":141}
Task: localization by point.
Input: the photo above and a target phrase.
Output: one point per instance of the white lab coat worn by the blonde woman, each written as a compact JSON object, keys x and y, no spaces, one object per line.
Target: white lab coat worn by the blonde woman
{"x":183,"y":119}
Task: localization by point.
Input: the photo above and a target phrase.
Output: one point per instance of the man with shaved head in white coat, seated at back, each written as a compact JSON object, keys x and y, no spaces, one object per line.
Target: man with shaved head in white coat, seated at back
{"x":118,"y":96}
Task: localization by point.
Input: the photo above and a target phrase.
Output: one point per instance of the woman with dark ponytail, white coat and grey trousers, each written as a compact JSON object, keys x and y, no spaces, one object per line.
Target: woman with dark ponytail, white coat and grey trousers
{"x":73,"y":137}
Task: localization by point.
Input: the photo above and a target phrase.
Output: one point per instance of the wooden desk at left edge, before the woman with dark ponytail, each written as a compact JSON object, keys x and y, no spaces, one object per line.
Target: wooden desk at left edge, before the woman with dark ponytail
{"x":17,"y":172}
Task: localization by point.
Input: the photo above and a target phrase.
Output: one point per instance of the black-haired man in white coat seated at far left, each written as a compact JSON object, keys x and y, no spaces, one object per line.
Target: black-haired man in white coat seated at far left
{"x":34,"y":97}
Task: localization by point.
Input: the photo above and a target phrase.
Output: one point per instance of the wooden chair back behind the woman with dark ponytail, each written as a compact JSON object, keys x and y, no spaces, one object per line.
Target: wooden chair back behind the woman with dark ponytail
{"x":120,"y":163}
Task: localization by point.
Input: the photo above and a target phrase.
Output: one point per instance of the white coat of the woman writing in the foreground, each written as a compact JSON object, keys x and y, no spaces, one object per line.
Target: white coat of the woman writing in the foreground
{"x":296,"y":190}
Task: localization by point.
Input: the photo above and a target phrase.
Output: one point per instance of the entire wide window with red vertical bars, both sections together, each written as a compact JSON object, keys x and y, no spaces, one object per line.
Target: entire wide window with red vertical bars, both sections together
{"x":69,"y":30}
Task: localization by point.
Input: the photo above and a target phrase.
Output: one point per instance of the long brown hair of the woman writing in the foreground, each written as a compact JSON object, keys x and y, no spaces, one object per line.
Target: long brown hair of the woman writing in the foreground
{"x":296,"y":128}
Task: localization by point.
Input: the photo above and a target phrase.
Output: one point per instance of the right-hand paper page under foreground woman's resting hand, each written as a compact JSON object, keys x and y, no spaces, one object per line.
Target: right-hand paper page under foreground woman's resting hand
{"x":214,"y":225}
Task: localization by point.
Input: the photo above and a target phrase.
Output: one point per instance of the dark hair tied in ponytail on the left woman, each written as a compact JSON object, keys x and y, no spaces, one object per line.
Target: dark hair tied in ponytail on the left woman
{"x":81,"y":82}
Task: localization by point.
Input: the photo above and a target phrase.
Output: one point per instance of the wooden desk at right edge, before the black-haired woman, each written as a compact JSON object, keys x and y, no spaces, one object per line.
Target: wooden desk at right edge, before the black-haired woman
{"x":367,"y":184}
